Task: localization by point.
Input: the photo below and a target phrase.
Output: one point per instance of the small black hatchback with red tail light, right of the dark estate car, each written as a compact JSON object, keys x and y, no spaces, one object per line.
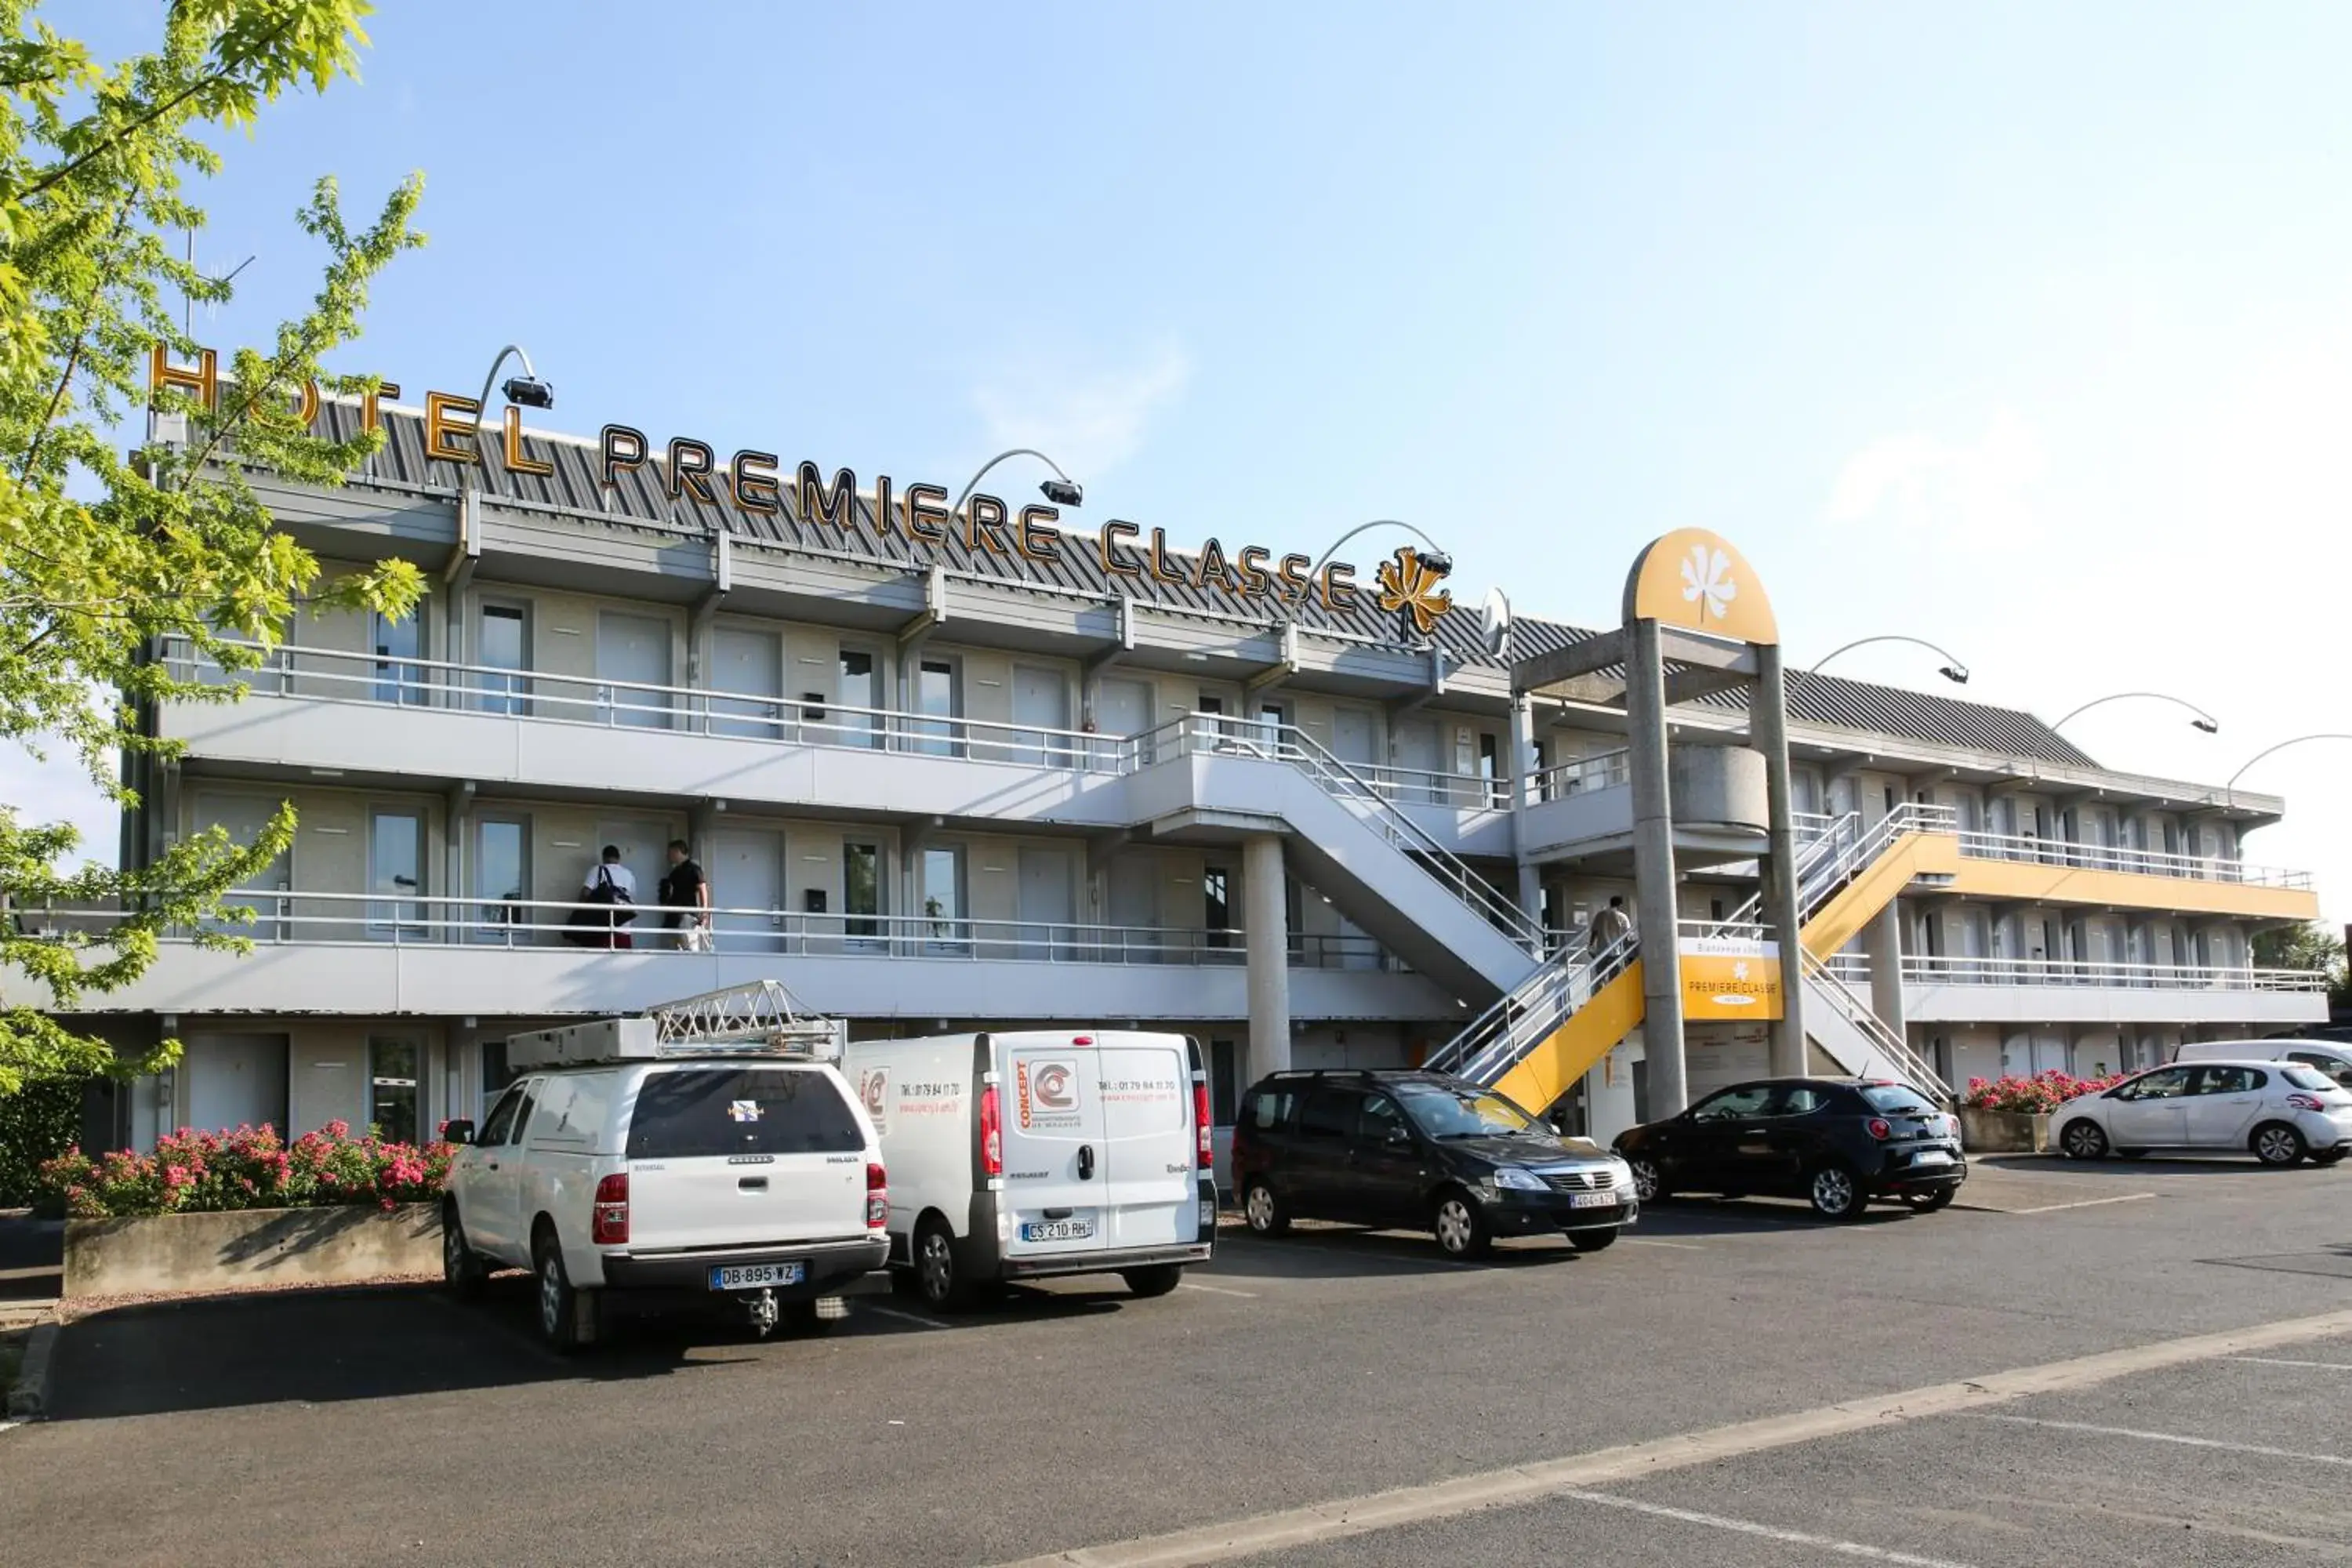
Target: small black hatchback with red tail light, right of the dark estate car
{"x":1831,"y":1141}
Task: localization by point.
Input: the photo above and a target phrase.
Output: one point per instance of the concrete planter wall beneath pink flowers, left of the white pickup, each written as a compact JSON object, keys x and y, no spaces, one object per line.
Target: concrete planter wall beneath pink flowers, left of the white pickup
{"x":253,"y":1247}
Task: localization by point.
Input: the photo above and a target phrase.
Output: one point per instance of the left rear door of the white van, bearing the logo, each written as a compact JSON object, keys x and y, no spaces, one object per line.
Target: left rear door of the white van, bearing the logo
{"x":1055,"y":1148}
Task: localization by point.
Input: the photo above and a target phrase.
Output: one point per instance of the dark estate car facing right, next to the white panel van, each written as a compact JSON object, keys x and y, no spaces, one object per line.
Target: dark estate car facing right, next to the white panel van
{"x":1419,"y":1151}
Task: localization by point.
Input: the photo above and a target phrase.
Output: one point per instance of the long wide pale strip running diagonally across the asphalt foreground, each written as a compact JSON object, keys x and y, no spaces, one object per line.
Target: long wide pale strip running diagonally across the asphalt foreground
{"x":1539,"y":1480}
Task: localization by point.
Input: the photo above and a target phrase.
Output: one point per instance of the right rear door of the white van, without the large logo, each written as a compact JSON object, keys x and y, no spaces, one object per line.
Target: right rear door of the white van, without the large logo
{"x":1151,"y":1184}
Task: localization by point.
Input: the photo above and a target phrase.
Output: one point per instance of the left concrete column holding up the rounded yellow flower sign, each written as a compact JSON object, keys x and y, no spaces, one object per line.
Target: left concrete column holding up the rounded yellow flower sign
{"x":1655,"y":873}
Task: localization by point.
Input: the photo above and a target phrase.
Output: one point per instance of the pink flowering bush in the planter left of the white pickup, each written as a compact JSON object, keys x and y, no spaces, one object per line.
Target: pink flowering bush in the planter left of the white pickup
{"x":246,"y":1170}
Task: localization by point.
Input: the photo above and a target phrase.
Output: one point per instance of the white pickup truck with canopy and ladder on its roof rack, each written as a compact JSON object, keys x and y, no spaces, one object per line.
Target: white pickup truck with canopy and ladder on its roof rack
{"x":620,"y":1165}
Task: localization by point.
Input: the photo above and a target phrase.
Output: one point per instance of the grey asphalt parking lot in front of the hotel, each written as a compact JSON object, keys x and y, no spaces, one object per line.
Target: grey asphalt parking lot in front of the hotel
{"x":2026,"y":1379}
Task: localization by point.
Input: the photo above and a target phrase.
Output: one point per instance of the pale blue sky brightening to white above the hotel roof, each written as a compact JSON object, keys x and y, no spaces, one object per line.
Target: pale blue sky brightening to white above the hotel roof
{"x":2007,"y":326}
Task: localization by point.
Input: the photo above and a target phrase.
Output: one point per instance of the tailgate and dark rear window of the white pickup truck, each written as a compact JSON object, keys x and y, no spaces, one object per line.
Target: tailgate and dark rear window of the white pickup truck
{"x":723,"y":1155}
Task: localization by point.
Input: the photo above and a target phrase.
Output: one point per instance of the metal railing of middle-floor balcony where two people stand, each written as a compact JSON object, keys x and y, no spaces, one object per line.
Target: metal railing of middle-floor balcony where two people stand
{"x":410,"y":920}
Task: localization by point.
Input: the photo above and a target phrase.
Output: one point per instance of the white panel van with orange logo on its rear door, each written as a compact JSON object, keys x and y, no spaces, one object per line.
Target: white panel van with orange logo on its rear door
{"x":1041,"y":1153}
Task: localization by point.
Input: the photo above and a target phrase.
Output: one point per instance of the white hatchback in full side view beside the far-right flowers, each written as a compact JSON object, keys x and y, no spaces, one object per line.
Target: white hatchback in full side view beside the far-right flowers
{"x":2278,"y":1111}
